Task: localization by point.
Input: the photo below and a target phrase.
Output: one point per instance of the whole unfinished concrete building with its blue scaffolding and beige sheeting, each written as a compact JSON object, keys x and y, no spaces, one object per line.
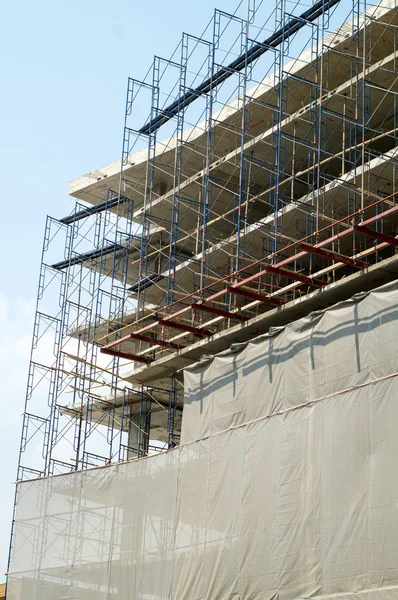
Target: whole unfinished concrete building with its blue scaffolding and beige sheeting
{"x":213,"y":380}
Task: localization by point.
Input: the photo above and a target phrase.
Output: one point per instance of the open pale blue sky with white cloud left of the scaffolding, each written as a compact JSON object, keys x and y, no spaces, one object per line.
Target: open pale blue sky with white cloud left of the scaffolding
{"x":64,"y":71}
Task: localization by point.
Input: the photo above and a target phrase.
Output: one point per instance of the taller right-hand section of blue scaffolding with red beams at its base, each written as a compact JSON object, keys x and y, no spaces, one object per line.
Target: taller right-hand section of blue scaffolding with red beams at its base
{"x":269,"y":195}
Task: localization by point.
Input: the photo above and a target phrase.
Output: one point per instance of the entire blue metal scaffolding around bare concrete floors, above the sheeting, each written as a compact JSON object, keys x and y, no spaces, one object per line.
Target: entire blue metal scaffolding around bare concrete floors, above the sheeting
{"x":258,"y":165}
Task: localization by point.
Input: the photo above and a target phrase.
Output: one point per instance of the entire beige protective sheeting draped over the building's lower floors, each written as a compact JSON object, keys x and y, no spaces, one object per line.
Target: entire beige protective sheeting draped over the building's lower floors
{"x":298,"y":501}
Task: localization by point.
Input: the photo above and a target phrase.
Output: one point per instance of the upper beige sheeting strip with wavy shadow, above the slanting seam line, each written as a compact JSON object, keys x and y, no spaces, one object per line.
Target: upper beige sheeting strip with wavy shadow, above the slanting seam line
{"x":349,"y":344}
